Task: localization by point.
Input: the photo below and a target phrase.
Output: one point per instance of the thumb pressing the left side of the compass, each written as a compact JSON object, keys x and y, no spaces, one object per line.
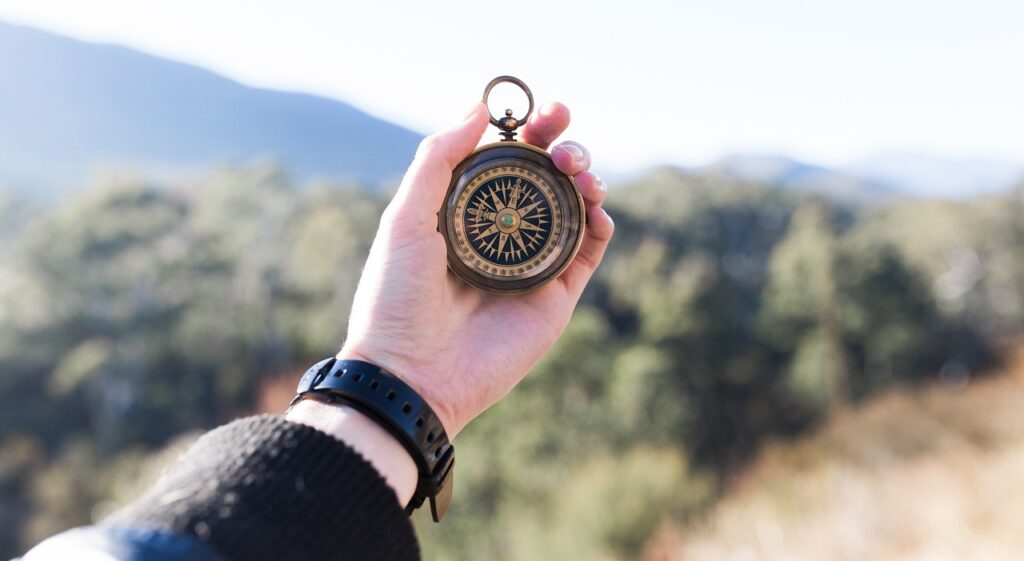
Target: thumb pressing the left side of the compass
{"x":429,"y":178}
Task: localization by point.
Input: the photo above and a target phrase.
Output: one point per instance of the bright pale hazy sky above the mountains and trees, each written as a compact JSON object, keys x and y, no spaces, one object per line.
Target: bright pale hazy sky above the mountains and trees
{"x":649,"y":82}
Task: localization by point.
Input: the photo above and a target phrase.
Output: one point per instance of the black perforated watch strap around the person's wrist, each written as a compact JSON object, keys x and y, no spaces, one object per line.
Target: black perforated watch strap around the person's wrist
{"x":386,"y":399}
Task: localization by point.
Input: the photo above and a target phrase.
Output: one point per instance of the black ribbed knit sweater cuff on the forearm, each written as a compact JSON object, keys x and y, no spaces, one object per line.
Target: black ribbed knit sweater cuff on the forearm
{"x":264,"y":489}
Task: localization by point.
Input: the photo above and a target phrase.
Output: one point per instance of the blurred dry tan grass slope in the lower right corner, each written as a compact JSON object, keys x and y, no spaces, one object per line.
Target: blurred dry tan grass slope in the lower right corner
{"x":933,"y":474}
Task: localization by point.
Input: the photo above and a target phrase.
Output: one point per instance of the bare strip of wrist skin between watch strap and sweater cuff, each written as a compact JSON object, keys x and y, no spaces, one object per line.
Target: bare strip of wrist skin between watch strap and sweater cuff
{"x":371,"y":441}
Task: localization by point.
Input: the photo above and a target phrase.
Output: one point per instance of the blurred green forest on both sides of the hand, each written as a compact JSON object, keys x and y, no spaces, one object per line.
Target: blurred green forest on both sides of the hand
{"x":727,"y":314}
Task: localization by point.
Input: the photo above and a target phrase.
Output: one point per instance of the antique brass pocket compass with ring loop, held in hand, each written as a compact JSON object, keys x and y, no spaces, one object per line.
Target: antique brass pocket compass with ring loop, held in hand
{"x":511,"y":221}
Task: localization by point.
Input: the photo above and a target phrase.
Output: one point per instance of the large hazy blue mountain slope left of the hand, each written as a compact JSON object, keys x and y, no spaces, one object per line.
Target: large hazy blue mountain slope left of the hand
{"x":71,"y":109}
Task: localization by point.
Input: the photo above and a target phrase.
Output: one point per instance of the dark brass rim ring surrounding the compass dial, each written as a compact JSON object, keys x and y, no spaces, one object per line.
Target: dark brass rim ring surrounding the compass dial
{"x":569,"y":201}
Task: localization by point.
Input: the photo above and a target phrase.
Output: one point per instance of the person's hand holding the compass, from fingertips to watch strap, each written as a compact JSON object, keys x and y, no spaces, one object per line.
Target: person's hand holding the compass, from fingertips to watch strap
{"x":461,"y":349}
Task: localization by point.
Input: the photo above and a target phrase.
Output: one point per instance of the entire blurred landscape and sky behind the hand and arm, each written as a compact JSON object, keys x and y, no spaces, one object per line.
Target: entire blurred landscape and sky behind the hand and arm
{"x":805,"y":342}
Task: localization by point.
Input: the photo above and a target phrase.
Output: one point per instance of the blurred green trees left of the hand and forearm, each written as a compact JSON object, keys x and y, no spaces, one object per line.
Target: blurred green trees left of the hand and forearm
{"x":134,"y":314}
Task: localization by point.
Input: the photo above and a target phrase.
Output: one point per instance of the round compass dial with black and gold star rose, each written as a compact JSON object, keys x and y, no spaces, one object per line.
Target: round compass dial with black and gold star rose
{"x":508,"y":222}
